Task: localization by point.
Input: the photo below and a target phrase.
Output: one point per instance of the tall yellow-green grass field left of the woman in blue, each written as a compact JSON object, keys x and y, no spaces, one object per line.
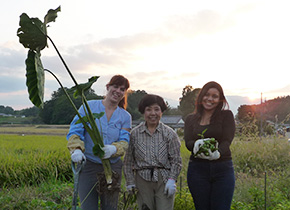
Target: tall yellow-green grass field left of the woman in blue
{"x":30,"y":160}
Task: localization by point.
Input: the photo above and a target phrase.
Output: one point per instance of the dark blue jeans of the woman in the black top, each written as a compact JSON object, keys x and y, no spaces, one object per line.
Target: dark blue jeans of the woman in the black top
{"x":211,"y":184}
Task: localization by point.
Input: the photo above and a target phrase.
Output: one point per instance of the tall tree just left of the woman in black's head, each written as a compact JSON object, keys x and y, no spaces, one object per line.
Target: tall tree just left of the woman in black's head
{"x":187,"y":100}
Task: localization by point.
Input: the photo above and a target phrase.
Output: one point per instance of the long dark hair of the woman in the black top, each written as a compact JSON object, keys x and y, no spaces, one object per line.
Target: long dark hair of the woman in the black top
{"x":222,"y":105}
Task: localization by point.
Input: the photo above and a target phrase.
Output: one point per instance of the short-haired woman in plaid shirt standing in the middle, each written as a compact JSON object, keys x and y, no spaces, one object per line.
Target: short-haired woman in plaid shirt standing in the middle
{"x":153,"y":162}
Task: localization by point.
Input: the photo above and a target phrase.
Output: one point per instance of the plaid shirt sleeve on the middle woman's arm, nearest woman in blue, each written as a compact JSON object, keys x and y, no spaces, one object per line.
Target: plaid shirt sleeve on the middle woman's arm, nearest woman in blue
{"x":129,"y":161}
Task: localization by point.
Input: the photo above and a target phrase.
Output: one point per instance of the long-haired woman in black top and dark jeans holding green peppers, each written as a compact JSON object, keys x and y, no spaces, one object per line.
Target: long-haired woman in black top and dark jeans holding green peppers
{"x":210,"y":178}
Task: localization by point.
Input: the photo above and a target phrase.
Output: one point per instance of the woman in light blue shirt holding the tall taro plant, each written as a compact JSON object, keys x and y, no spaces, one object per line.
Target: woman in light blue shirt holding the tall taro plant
{"x":115,"y":128}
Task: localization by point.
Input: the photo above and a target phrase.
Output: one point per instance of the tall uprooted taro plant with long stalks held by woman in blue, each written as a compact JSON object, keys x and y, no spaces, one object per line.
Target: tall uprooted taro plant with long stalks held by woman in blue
{"x":32,"y":34}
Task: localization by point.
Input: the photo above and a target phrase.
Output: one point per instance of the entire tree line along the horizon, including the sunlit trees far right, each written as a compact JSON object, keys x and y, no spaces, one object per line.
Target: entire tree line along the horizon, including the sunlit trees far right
{"x":58,"y":111}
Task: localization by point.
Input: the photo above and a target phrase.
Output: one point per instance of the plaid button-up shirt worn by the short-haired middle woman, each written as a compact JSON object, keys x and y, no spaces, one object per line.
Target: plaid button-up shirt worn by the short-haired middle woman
{"x":149,"y":154}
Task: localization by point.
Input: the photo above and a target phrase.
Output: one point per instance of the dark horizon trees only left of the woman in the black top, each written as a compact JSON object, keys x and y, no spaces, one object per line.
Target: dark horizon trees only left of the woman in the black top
{"x":58,"y":111}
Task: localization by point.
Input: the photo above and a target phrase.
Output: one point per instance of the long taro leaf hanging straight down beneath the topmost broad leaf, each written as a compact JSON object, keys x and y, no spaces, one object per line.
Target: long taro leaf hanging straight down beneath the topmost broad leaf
{"x":35,"y":78}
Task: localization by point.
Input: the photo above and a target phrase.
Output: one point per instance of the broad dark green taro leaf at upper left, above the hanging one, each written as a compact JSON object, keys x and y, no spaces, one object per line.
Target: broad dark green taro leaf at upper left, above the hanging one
{"x":32,"y":33}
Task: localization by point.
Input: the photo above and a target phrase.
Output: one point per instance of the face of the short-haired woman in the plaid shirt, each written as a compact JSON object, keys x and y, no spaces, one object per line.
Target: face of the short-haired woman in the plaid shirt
{"x":152,"y":115}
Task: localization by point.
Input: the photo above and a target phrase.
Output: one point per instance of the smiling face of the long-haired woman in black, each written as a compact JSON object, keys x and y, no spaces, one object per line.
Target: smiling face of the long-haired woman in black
{"x":211,"y":99}
